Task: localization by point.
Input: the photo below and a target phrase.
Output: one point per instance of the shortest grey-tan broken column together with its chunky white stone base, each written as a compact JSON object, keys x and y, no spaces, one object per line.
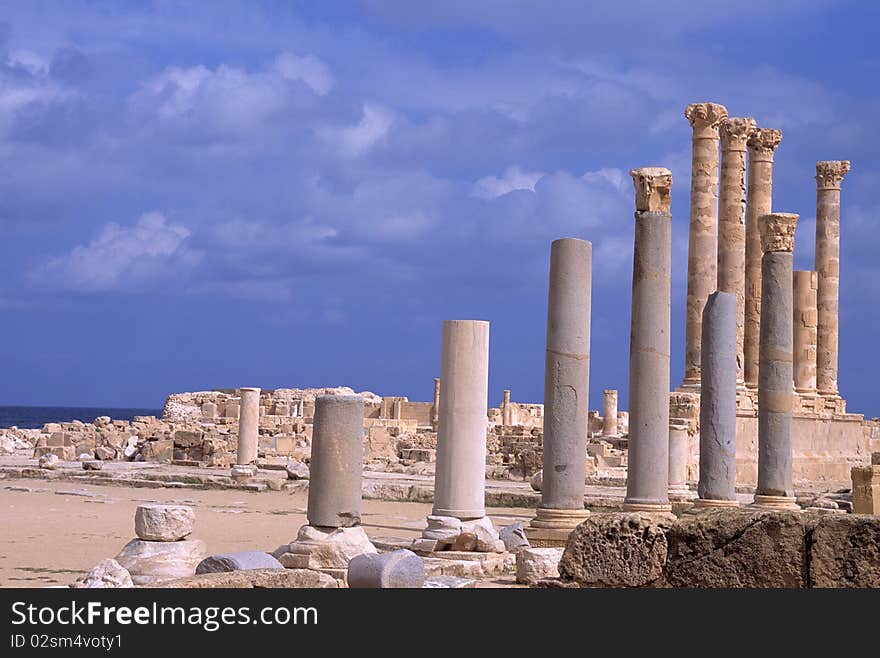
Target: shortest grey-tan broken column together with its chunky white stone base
{"x":333,"y":535}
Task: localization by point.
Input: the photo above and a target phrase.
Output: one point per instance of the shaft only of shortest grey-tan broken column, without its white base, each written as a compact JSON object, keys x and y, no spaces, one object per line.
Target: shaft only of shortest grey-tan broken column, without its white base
{"x":337,"y":462}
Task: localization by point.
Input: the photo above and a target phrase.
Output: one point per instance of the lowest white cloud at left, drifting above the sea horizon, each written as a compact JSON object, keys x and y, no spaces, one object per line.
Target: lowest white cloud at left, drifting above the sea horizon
{"x":122,"y":258}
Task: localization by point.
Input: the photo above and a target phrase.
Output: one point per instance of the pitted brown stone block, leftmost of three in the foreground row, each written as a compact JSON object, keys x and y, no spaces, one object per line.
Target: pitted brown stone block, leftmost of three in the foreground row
{"x":617,"y":550}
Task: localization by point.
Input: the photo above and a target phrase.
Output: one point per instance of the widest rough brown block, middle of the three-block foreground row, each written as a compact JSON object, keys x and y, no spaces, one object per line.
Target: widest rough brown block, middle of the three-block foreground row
{"x":737,"y":548}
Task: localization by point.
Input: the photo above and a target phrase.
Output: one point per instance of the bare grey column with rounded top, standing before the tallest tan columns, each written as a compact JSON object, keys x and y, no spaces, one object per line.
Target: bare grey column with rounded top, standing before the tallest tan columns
{"x":717,"y":485}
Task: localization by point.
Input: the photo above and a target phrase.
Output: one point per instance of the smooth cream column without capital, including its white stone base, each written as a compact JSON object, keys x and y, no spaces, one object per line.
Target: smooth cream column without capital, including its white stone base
{"x":458,"y":519}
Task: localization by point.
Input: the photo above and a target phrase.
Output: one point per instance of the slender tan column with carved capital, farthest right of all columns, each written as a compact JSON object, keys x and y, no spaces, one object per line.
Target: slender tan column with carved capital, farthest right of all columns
{"x":829,"y":175}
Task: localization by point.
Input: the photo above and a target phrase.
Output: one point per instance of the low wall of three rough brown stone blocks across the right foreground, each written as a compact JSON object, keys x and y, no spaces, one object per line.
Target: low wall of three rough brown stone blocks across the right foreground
{"x":723,"y":548}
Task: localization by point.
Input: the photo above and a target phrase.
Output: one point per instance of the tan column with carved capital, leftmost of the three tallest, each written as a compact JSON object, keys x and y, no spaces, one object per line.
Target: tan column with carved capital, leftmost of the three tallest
{"x":703,"y":235}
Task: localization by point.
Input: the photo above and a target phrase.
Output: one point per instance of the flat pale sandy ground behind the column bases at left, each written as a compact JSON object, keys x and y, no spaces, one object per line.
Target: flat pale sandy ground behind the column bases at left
{"x":54,"y":532}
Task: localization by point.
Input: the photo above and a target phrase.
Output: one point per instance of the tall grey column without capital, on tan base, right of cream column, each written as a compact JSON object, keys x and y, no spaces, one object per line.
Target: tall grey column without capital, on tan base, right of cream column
{"x":566,"y":392}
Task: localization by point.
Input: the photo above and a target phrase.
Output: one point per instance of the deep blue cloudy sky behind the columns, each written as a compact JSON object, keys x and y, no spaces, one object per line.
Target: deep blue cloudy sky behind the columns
{"x":200,"y":195}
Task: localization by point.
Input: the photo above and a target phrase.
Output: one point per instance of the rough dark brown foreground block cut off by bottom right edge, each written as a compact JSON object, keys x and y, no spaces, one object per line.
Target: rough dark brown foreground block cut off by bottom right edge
{"x":845,"y":551}
